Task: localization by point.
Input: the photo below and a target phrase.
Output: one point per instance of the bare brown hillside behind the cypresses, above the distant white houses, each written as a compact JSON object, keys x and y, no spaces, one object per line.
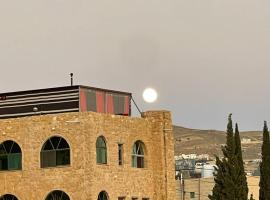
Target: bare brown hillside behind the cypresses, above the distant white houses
{"x":209,"y":141}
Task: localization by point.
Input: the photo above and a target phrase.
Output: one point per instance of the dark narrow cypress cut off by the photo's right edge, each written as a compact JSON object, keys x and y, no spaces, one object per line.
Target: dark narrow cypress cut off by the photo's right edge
{"x":265,"y":166}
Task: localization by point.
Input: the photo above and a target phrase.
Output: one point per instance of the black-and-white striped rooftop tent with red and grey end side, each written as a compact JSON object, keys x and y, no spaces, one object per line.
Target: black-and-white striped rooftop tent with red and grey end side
{"x":64,"y":99}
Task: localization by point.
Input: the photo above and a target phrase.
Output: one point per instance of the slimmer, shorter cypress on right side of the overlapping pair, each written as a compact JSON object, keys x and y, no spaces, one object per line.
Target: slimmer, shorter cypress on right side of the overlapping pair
{"x":242,"y":190}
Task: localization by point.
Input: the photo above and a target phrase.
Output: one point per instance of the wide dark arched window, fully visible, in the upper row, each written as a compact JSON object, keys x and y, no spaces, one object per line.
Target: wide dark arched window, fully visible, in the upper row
{"x":55,"y":152}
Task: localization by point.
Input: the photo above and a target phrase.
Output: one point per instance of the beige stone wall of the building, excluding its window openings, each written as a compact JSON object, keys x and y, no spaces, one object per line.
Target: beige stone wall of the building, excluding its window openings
{"x":84,"y":179}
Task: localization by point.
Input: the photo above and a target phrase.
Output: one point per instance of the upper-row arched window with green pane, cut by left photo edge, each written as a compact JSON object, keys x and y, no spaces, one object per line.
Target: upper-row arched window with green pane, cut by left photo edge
{"x":10,"y":156}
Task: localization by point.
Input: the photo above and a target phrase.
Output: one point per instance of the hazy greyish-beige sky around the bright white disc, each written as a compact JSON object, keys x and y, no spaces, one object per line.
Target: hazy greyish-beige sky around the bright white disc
{"x":206,"y":58}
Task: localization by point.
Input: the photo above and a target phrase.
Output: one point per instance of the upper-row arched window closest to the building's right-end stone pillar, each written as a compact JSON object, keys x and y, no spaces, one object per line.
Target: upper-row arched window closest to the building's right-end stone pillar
{"x":138,"y":155}
